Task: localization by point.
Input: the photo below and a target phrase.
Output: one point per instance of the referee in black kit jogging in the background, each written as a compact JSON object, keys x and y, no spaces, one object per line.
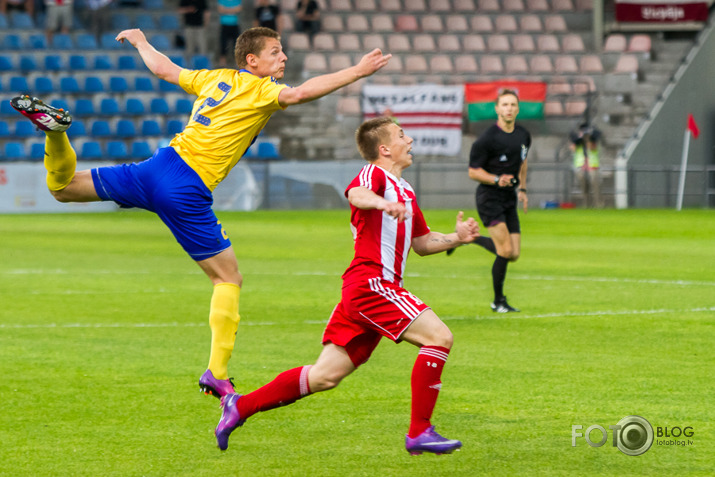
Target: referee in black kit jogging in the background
{"x":498,"y":162}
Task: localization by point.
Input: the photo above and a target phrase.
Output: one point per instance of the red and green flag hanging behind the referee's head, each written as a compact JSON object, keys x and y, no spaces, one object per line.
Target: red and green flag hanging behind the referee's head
{"x":481,"y":98}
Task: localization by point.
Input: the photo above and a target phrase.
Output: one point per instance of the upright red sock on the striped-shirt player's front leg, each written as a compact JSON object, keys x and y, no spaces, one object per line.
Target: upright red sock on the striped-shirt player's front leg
{"x":426,"y":384}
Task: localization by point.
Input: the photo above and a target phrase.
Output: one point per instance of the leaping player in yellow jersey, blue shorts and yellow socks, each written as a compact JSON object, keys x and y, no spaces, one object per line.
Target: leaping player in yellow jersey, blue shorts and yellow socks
{"x":176,"y":183}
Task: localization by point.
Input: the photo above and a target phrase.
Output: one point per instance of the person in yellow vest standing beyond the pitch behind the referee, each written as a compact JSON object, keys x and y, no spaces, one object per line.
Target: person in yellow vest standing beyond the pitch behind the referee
{"x":585,"y":146}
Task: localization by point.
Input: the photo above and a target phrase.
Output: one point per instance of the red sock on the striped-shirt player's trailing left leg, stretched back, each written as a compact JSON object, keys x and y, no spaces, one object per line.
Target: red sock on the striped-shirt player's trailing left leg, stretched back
{"x":286,"y":388}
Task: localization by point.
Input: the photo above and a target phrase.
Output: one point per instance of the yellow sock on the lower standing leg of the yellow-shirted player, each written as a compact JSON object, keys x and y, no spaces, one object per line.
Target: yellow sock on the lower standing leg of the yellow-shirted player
{"x":223,"y":319}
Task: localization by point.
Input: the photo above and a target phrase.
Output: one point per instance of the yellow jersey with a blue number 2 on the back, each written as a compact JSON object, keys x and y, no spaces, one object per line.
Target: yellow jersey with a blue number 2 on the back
{"x":231,"y":110}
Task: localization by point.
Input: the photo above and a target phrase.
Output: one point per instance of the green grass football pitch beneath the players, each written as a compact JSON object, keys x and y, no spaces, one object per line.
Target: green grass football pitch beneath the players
{"x":104,"y":333}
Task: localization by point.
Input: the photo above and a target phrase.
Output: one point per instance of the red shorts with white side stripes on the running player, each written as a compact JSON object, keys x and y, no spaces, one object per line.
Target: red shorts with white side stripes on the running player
{"x":367,"y":311}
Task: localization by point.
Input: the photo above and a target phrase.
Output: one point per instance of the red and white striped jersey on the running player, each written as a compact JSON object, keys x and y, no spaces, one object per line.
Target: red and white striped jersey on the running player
{"x":381,"y":242}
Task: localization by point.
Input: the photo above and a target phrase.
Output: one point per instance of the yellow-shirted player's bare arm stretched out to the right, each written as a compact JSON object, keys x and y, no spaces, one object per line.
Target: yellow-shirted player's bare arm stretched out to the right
{"x":321,"y":85}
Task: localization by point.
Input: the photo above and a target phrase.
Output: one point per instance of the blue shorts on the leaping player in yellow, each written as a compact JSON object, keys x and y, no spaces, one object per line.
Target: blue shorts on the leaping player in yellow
{"x":166,"y":185}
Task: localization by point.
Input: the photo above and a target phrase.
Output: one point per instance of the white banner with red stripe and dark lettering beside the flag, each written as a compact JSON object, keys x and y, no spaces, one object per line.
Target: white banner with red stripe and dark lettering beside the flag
{"x":430,"y":114}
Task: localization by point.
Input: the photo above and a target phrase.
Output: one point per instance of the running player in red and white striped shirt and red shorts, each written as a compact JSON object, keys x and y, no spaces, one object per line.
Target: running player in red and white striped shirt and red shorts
{"x":386,"y":222}
